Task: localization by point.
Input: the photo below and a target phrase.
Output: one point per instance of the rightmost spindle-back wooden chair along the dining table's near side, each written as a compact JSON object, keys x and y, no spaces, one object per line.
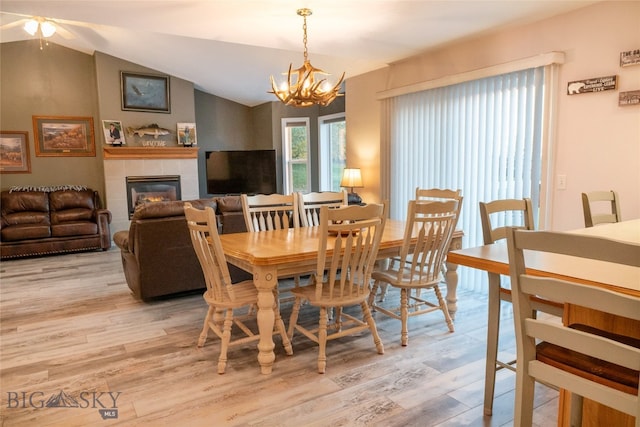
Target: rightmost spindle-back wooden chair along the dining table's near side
{"x":428,"y":231}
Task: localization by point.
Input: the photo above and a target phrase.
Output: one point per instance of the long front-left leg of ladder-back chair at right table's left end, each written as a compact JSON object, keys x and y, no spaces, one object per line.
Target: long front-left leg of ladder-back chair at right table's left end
{"x":493,"y":330}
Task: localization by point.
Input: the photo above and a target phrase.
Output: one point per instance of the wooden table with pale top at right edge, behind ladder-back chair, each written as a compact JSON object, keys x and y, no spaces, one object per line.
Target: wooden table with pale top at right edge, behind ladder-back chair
{"x":494,"y":258}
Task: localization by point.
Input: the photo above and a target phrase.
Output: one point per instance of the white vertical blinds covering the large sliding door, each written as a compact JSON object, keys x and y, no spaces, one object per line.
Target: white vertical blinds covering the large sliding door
{"x":483,"y":137}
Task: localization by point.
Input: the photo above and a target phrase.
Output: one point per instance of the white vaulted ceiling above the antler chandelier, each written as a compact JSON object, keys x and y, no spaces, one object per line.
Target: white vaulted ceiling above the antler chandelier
{"x":229,"y":48}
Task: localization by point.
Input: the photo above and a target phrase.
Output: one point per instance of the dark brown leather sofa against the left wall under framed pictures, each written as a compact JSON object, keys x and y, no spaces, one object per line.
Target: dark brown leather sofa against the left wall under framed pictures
{"x":52,"y":221}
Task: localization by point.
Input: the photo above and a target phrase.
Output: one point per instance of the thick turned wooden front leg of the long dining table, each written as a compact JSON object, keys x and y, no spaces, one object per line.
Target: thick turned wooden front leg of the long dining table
{"x":265,"y":281}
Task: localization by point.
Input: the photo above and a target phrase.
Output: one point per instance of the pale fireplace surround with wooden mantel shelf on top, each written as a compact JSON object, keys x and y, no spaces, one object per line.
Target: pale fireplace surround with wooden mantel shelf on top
{"x":120,"y":162}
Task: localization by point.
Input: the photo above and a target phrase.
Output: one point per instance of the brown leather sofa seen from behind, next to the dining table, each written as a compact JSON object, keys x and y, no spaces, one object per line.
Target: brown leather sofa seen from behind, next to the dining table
{"x":157,"y":254}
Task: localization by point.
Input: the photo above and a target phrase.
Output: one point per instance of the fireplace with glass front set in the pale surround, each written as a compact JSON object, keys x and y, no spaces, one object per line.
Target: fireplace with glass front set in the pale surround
{"x":148,"y":189}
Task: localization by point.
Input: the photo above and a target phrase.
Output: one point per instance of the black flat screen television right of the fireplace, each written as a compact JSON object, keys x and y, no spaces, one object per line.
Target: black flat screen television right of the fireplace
{"x":241,"y":171}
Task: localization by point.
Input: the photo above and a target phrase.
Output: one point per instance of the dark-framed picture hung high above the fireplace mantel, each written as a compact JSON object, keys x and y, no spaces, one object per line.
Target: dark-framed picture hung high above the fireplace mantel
{"x":145,"y":92}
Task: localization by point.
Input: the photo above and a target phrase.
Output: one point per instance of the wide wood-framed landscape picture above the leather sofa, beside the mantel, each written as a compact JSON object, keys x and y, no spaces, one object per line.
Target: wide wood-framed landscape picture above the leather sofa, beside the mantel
{"x":64,"y":136}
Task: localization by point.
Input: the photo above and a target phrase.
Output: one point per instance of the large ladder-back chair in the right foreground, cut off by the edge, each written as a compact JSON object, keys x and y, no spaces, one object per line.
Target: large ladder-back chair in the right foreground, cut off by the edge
{"x":582,"y":359}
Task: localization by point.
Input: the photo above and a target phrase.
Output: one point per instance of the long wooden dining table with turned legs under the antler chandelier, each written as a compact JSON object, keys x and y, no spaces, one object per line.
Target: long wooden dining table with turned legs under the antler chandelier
{"x":284,"y":253}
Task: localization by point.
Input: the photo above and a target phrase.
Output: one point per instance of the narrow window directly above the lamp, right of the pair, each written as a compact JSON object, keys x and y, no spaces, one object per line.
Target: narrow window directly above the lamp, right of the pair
{"x":333,"y":150}
